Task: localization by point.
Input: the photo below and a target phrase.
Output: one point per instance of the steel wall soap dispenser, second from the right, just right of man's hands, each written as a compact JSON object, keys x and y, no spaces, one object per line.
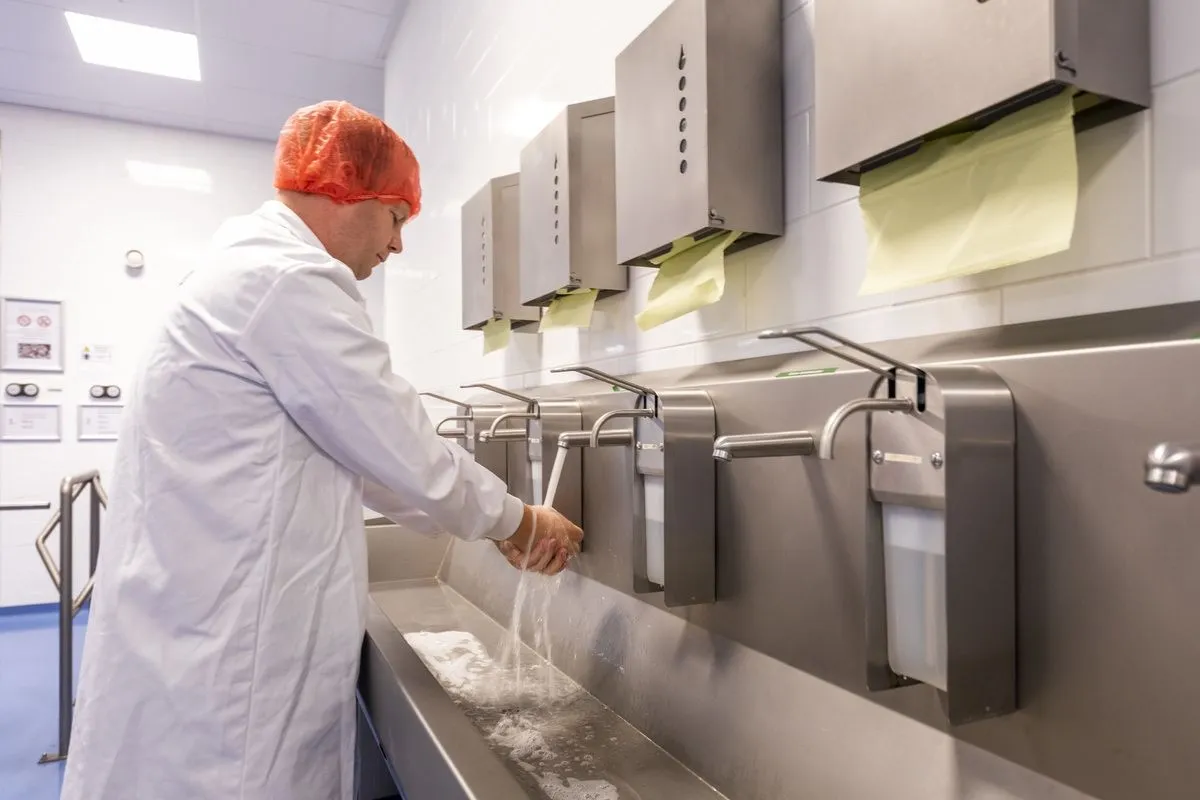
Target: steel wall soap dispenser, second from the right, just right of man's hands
{"x":675,"y":490}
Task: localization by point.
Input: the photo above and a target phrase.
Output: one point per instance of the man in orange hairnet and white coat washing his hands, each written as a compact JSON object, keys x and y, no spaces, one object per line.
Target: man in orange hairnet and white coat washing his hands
{"x":229,"y":617}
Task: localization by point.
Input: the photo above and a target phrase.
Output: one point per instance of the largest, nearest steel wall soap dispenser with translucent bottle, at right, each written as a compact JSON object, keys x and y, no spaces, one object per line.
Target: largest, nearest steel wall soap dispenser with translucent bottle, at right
{"x":941,"y":555}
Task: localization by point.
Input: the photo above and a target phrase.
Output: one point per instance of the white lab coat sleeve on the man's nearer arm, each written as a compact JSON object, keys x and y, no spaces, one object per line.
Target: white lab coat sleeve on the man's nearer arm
{"x":311,"y":342}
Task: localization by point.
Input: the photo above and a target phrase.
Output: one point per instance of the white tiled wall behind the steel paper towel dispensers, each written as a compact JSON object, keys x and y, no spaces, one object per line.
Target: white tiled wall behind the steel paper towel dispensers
{"x":470,"y":82}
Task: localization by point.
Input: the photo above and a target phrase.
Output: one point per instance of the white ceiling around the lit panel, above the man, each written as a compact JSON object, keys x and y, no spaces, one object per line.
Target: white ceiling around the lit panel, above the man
{"x":260,"y":61}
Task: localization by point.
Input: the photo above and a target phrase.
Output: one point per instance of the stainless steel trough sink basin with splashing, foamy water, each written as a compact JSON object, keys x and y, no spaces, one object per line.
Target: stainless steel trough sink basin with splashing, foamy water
{"x":455,"y":721}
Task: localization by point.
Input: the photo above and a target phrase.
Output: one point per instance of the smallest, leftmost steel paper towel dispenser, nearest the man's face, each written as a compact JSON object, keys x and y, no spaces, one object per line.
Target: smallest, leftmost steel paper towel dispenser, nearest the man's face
{"x":491,"y":230}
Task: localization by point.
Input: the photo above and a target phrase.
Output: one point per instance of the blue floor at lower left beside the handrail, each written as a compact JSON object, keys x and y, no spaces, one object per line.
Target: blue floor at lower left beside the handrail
{"x":29,"y":701}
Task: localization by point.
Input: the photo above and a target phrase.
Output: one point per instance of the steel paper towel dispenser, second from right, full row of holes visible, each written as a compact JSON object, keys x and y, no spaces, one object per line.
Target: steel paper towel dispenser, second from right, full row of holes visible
{"x":700,"y":137}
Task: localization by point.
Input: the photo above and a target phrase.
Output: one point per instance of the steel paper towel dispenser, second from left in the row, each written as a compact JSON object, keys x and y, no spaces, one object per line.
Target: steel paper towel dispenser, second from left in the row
{"x":569,"y":207}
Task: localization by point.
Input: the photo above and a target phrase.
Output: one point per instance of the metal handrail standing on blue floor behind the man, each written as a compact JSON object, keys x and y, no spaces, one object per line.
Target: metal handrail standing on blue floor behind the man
{"x":63,"y":576}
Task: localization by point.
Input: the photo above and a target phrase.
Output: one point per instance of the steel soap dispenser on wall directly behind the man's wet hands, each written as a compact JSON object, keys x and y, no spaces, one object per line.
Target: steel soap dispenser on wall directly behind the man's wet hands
{"x":545,"y":420}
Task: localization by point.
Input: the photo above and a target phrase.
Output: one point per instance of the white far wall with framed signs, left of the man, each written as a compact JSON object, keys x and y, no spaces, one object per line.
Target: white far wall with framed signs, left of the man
{"x":69,"y":212}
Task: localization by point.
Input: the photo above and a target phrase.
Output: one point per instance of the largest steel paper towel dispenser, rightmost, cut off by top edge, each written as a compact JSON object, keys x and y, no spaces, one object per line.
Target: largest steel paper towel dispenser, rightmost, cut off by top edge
{"x":893,"y":75}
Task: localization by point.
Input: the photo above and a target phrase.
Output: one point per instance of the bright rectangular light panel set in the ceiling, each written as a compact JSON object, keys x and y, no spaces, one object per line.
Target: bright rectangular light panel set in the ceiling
{"x":141,"y":49}
